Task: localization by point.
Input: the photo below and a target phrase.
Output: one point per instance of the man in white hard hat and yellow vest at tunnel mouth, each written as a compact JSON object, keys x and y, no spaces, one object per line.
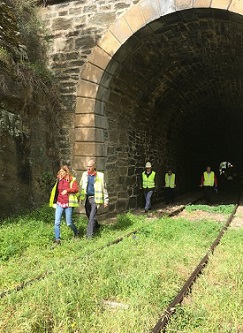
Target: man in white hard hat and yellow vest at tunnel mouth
{"x":148,"y":185}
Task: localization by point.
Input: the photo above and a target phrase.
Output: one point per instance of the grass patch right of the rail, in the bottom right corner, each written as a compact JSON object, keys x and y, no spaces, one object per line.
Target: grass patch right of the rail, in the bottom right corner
{"x":215,"y":304}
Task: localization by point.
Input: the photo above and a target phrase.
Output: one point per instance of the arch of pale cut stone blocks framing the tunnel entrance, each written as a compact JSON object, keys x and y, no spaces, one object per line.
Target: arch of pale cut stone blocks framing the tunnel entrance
{"x":92,"y":91}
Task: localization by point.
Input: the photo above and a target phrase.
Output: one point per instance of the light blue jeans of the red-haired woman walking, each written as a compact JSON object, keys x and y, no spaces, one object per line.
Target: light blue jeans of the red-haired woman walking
{"x":58,"y":216}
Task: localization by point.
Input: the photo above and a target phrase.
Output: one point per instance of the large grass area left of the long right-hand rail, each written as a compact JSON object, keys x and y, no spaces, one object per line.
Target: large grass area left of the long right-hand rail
{"x":121,"y":288}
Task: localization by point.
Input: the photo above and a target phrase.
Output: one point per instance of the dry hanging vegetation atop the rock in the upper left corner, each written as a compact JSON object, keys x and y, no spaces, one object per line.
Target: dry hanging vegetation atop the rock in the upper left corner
{"x":23,"y":44}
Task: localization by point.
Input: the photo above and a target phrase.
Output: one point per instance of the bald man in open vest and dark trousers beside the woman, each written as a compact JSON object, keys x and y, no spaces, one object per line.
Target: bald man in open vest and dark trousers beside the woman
{"x":94,"y":194}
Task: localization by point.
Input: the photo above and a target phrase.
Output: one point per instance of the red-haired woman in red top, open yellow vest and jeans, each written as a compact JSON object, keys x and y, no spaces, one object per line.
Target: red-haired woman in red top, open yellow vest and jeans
{"x":64,"y":198}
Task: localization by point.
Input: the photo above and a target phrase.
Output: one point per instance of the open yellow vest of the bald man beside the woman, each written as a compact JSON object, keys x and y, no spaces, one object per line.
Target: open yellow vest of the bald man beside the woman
{"x":100,"y":195}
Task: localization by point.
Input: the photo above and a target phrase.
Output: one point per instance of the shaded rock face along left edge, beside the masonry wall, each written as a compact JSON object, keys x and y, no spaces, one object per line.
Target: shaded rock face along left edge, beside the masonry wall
{"x":29,"y":149}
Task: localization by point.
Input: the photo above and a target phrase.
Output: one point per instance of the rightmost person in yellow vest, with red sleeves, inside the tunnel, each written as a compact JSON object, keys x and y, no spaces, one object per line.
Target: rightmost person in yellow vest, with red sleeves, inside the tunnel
{"x":209,"y":183}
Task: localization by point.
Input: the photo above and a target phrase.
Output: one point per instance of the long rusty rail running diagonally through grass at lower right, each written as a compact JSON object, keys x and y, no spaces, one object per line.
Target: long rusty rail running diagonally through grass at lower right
{"x":171,"y":309}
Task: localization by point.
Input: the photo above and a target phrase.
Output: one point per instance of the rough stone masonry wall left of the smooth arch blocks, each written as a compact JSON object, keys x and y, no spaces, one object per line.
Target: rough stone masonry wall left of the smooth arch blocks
{"x":73,"y":29}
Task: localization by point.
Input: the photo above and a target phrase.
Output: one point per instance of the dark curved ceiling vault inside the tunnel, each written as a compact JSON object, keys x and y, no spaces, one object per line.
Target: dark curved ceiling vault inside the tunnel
{"x":187,"y":69}
